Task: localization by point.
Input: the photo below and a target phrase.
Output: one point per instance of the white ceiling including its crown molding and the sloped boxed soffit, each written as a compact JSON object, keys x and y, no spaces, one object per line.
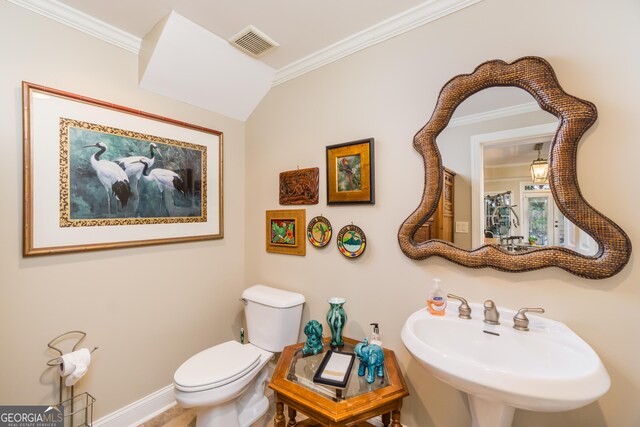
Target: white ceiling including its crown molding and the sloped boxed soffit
{"x":310,"y":34}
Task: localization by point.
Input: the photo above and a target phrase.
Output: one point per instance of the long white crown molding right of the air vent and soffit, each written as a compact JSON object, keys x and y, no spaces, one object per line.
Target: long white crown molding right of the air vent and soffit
{"x":394,"y":26}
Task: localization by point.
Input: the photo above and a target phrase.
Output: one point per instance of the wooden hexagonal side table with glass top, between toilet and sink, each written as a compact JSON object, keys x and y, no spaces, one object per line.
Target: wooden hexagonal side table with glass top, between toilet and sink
{"x":292,"y":382}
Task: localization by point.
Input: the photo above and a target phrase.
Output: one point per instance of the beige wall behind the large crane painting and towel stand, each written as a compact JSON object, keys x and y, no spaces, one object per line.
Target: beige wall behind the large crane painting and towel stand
{"x":148,"y":309}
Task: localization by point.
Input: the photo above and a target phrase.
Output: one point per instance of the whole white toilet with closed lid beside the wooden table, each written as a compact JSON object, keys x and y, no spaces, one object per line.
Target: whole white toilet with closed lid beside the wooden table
{"x":226,"y":382}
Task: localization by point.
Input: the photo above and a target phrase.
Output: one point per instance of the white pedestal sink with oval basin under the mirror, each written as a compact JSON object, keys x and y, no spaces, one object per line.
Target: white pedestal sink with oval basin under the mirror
{"x":548,"y":368}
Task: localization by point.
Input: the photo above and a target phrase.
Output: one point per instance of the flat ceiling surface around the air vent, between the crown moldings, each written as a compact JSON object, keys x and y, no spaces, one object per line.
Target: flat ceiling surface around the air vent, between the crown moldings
{"x":301,"y":27}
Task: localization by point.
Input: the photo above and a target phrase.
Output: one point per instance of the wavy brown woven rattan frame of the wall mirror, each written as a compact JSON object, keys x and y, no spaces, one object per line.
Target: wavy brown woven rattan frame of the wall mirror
{"x":575,"y":115}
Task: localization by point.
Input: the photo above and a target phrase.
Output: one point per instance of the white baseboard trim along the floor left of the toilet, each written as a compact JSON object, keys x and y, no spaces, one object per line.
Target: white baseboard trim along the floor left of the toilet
{"x":141,"y":410}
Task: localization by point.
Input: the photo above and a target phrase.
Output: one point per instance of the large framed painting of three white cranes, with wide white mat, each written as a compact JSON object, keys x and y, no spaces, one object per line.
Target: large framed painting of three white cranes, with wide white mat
{"x":100,"y":176}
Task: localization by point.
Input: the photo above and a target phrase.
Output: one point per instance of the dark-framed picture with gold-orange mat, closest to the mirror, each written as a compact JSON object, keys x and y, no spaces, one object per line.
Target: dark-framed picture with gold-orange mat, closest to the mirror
{"x":350,"y":173}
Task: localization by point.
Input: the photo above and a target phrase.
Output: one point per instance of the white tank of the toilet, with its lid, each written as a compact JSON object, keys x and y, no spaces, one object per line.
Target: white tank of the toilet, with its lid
{"x":273,"y":317}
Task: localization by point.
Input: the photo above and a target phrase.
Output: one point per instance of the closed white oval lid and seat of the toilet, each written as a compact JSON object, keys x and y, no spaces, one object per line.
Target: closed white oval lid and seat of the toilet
{"x":216,"y":366}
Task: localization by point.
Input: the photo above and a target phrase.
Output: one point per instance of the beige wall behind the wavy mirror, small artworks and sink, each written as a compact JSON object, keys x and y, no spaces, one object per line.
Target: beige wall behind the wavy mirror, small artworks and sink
{"x":388,"y":92}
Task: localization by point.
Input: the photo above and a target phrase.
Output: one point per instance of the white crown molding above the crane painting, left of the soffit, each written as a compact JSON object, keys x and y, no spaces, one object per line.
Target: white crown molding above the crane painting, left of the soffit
{"x":81,"y":21}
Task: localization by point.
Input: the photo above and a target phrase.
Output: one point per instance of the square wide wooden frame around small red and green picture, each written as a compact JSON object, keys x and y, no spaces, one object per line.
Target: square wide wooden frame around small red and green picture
{"x":285,"y":232}
